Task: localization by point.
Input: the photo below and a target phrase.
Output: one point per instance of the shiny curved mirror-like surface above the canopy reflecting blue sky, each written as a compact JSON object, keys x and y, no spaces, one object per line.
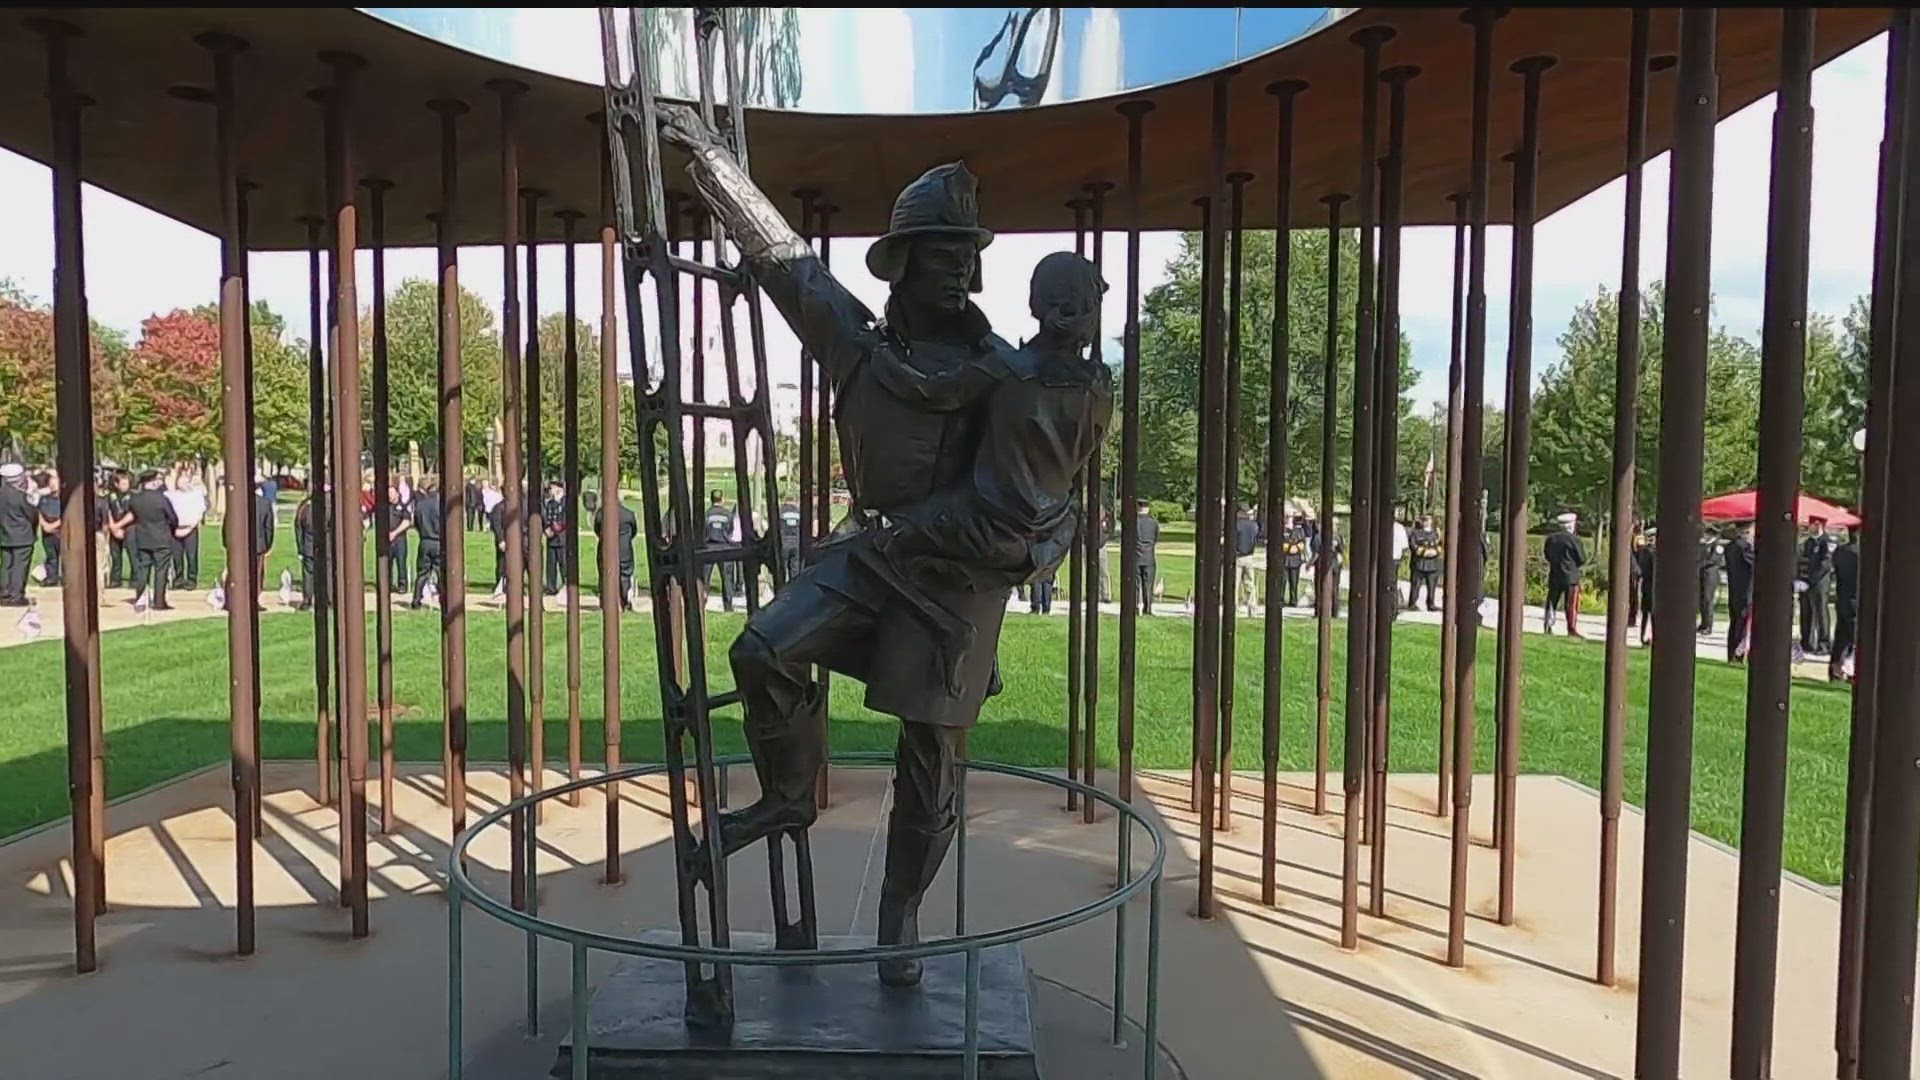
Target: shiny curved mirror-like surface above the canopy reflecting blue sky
{"x":898,"y":61}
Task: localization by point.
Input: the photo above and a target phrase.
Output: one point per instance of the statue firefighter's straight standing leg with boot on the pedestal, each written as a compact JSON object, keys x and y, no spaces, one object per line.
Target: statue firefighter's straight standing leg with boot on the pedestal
{"x":919,"y":833}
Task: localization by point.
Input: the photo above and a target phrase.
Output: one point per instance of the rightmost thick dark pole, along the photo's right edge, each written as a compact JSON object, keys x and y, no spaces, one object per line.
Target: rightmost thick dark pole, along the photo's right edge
{"x":1888,"y":993}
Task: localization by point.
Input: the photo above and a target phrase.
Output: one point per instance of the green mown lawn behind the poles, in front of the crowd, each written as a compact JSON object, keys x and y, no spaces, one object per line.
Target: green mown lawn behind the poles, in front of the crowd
{"x":166,"y":710}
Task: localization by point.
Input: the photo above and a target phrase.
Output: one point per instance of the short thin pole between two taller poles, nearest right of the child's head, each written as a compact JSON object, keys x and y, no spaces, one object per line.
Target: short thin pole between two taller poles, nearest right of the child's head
{"x":1230,"y":493}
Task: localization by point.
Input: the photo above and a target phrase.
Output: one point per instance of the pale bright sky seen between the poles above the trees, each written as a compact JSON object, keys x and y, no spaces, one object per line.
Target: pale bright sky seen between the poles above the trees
{"x":143,"y":264}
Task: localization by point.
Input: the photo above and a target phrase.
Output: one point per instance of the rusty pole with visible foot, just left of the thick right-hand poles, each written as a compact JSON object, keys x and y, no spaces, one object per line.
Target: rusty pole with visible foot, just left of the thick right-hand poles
{"x":1625,"y":424}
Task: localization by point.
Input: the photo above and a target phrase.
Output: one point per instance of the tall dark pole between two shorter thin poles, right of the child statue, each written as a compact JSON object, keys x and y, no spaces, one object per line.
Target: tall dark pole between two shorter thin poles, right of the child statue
{"x":1280,"y":401}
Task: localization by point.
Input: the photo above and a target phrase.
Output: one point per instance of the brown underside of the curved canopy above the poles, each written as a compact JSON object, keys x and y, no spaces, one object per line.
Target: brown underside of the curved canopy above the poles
{"x":149,"y":145}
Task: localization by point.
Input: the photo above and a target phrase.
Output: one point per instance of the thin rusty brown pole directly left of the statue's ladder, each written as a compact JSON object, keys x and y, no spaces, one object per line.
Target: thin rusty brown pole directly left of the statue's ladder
{"x":613,"y":601}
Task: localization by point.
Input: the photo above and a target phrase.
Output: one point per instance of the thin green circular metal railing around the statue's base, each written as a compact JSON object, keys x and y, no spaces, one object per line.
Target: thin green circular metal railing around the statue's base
{"x":1130,"y":885}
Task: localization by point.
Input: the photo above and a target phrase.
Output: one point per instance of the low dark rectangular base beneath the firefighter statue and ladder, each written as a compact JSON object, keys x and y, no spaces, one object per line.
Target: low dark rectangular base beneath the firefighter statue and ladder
{"x":809,"y":1023}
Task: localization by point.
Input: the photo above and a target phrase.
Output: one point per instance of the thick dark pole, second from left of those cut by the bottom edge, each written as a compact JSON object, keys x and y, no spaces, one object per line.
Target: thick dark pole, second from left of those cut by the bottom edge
{"x":1771,"y":662}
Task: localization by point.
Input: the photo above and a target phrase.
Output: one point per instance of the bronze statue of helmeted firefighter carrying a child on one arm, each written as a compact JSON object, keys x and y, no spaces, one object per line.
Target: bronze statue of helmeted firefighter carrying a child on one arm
{"x":959,"y":454}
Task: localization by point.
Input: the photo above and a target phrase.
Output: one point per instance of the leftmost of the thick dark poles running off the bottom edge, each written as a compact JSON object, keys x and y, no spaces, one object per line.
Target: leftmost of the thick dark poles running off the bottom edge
{"x":1683,"y":449}
